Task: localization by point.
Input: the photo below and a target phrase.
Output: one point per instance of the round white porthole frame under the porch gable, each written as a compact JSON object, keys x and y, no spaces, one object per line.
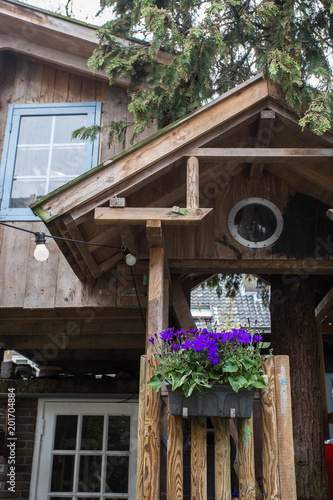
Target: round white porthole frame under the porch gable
{"x":253,"y":244}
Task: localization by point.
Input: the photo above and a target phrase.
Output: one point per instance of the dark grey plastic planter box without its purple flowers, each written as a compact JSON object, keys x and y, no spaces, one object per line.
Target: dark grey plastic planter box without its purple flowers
{"x":217,"y":401}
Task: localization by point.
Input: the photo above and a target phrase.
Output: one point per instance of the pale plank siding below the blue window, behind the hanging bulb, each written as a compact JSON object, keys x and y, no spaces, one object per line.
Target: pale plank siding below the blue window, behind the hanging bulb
{"x":26,"y":283}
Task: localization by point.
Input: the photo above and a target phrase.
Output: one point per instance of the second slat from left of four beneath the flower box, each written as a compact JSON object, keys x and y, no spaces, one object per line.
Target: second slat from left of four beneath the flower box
{"x":198,"y":458}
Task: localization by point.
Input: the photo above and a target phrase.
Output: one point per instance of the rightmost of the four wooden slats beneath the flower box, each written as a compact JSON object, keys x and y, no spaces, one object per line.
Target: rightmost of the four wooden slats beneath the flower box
{"x":247,"y":486}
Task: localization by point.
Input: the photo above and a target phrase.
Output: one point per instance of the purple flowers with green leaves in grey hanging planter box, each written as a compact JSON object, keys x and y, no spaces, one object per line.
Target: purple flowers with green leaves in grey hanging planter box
{"x":209,"y":373}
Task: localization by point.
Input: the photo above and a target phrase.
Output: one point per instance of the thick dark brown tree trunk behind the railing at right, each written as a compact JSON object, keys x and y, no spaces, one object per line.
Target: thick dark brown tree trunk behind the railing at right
{"x":294,"y":334}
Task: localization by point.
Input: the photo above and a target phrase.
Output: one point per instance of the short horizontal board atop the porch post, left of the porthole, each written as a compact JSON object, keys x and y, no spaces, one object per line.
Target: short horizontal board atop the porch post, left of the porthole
{"x":137,"y":215}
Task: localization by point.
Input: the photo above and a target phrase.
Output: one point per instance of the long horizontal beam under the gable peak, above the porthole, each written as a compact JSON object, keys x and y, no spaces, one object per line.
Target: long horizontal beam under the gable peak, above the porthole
{"x":258,"y":155}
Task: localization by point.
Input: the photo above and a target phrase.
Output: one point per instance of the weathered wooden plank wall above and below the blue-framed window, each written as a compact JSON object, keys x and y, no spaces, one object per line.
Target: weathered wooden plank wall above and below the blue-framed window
{"x":23,"y":281}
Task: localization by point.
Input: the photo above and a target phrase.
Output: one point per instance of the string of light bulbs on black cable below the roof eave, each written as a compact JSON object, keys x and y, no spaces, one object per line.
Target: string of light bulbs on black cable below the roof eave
{"x":41,"y":252}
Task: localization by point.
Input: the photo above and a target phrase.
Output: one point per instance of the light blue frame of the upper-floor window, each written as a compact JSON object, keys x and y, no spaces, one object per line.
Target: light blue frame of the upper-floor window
{"x":15,"y":112}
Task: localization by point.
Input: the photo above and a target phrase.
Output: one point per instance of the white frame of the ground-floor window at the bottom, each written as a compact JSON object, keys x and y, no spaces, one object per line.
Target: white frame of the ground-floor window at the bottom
{"x":48,"y":409}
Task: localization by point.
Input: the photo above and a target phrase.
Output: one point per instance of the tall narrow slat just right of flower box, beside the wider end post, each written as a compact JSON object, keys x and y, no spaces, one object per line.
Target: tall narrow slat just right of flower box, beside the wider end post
{"x":269,"y":436}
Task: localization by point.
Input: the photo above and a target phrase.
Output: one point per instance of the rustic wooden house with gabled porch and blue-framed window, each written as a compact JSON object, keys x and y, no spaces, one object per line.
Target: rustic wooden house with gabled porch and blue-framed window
{"x":235,"y":187}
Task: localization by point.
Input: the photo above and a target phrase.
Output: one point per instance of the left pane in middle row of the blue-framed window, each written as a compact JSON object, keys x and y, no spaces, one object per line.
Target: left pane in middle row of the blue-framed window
{"x":31,"y":161}
